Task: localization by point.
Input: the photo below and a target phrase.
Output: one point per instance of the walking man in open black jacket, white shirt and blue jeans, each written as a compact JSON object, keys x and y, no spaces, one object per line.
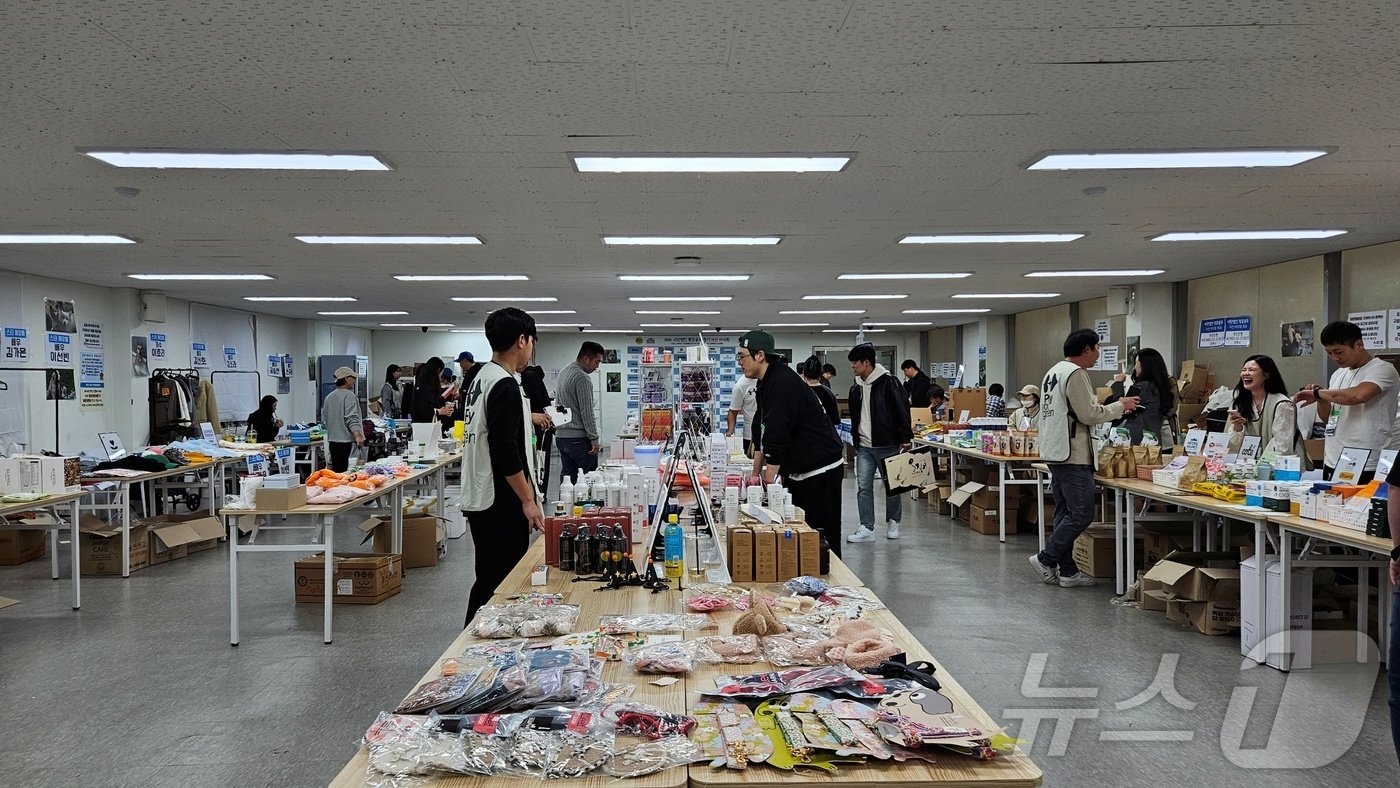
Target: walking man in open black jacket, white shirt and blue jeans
{"x":880,"y":429}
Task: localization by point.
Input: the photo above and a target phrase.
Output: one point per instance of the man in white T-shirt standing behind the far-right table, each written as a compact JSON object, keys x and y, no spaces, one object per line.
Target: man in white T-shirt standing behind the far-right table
{"x":1359,"y":404}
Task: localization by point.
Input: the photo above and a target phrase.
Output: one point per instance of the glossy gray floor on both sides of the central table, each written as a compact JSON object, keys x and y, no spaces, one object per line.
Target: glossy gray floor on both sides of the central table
{"x":142,"y":688}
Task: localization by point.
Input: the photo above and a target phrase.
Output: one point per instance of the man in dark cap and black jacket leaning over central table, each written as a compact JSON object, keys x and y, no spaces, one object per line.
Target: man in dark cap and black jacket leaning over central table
{"x":796,"y":437}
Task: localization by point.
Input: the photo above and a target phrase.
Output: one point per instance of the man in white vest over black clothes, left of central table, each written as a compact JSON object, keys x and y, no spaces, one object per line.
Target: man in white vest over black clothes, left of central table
{"x":500,"y":484}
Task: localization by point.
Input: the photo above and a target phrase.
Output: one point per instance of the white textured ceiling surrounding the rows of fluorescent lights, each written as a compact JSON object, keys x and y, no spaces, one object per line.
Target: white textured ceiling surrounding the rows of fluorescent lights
{"x":477,"y":106}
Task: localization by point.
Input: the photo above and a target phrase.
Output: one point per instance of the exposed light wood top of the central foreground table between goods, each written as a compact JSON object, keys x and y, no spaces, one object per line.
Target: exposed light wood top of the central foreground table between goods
{"x":951,"y":771}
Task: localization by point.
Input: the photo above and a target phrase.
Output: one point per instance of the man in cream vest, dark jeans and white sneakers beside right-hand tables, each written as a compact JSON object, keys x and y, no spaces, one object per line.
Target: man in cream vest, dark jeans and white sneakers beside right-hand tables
{"x":1069,"y":411}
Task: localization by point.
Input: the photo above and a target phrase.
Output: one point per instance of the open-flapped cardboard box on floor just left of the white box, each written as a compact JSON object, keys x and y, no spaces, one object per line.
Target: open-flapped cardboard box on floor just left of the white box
{"x":1199,"y":590}
